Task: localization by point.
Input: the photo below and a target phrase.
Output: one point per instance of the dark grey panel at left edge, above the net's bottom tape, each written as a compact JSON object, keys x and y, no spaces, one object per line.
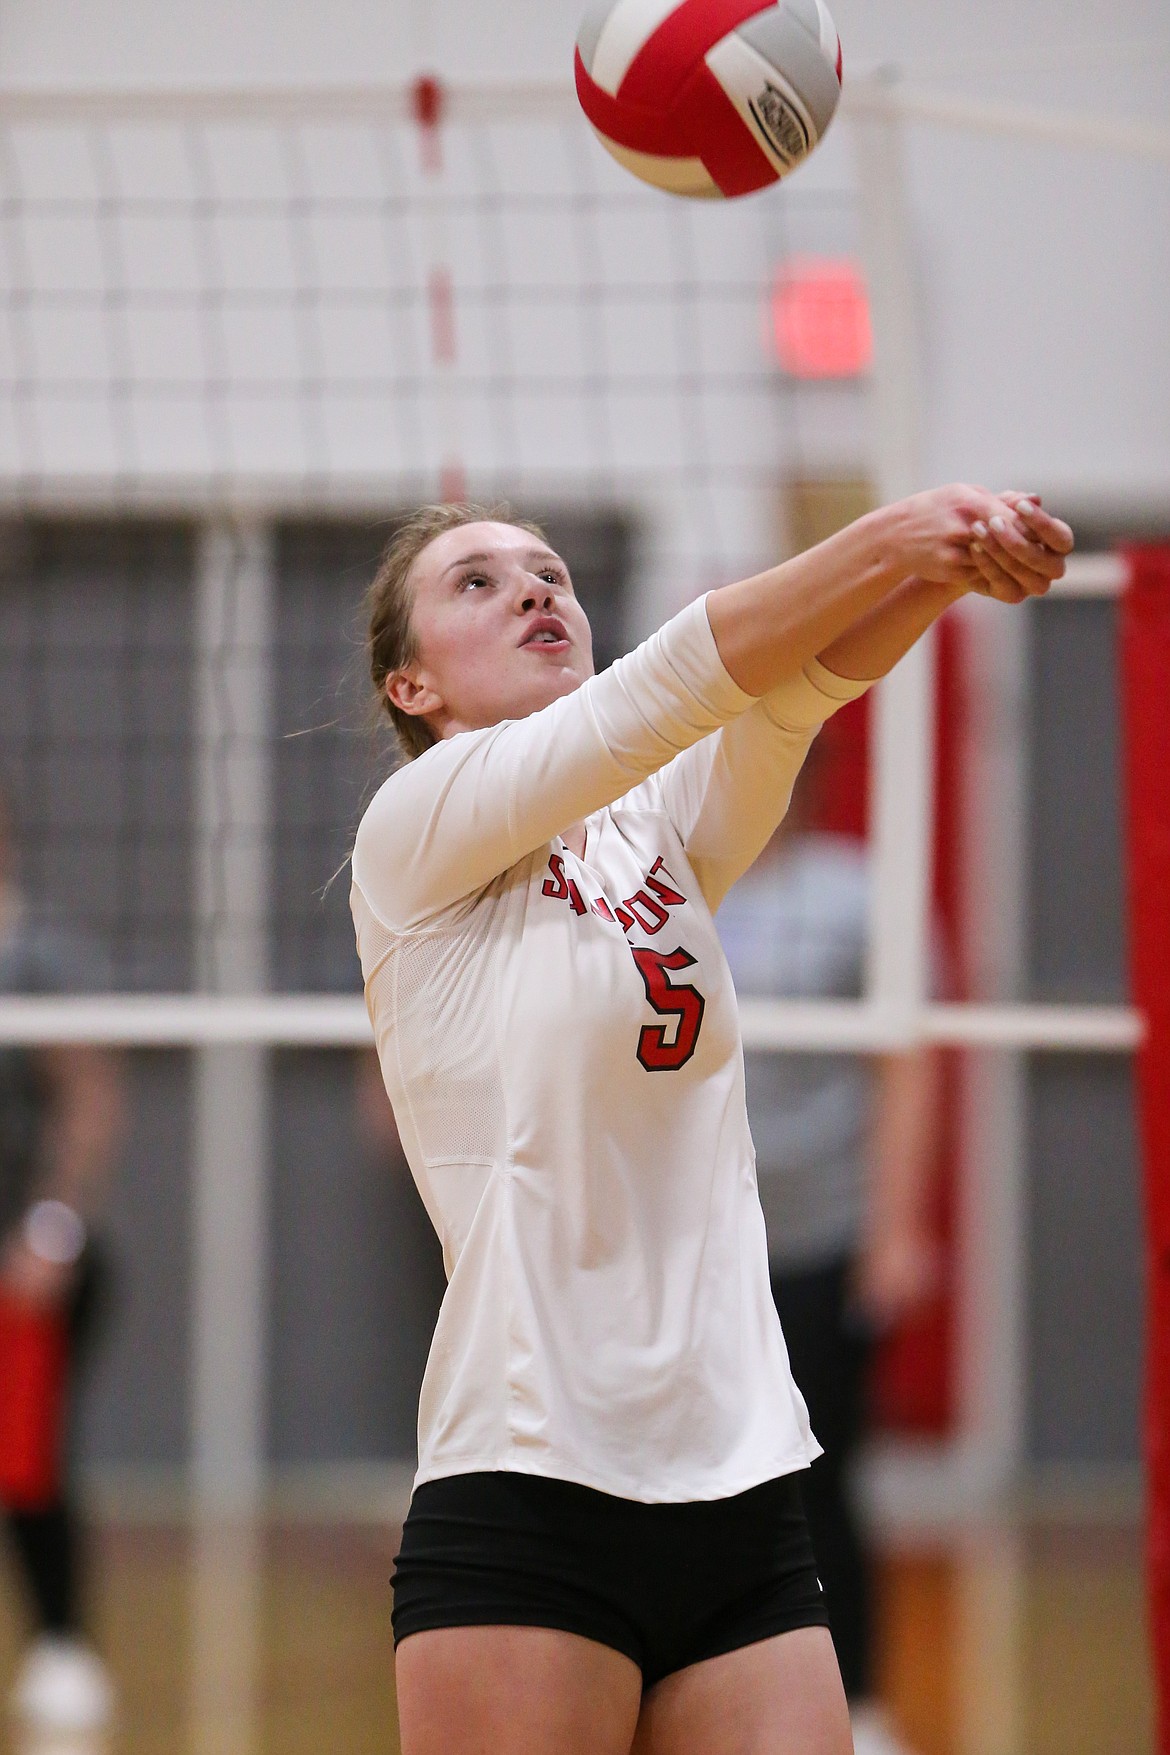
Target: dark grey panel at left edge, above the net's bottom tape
{"x":96,"y":713}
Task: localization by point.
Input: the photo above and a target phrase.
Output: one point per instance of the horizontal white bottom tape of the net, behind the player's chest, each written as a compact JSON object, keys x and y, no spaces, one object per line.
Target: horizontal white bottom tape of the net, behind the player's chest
{"x":339,"y":1021}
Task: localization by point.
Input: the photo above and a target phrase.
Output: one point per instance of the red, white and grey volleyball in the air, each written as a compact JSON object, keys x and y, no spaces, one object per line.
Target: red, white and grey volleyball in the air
{"x":710,"y":97}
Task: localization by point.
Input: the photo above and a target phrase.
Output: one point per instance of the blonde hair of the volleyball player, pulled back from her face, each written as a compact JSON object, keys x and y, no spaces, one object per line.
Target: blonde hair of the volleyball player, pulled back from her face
{"x":390,"y":636}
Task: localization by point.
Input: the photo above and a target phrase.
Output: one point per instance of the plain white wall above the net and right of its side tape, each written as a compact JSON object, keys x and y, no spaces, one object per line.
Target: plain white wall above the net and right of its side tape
{"x":1043,"y":268}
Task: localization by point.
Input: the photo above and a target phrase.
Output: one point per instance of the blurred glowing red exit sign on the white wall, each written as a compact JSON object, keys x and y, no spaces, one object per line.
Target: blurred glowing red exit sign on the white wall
{"x":820,"y":319}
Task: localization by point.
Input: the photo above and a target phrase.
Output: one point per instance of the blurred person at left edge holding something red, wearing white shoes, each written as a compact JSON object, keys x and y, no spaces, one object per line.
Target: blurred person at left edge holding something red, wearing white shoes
{"x":61,"y":1128}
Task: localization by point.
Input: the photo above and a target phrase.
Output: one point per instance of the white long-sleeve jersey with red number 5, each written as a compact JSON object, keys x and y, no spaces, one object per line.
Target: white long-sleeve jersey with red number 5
{"x":560,"y":1043}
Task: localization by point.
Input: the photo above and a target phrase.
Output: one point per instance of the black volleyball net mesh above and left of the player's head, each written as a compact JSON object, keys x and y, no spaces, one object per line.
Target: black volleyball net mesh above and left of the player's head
{"x":296,"y":324}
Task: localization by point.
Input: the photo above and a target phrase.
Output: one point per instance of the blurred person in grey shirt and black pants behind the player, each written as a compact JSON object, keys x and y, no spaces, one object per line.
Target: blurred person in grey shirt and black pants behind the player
{"x":846,"y":1149}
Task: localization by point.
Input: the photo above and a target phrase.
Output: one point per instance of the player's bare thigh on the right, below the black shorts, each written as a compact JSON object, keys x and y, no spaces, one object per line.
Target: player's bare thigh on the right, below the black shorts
{"x":776,"y":1698}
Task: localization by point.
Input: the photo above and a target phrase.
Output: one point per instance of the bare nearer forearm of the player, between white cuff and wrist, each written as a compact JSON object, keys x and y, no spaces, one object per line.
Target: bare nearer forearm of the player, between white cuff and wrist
{"x":771,"y":626}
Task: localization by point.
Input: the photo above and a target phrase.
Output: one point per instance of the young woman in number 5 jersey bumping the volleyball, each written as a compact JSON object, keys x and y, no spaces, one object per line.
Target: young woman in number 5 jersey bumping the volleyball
{"x":606,"y":1549}
